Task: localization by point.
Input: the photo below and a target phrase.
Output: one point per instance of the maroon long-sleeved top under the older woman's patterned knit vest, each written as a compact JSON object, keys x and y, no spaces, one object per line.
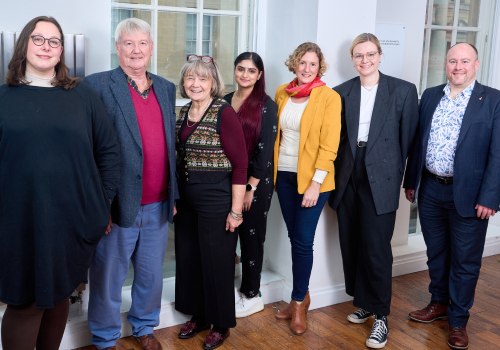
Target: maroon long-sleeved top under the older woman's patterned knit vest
{"x":233,"y":143}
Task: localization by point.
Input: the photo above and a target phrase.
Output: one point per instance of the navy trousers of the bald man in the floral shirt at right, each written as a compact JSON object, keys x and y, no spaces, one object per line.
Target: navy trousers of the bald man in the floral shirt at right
{"x":454,"y":249}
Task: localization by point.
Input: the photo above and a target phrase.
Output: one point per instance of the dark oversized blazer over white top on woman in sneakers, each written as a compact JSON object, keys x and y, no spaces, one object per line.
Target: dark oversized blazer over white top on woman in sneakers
{"x":392,"y":131}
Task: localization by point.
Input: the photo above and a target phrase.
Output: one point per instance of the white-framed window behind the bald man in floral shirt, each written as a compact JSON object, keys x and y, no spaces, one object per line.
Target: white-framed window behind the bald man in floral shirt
{"x":448,"y":22}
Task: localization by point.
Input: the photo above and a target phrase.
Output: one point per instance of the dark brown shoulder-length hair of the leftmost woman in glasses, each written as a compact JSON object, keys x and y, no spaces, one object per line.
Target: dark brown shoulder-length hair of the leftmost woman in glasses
{"x":17,"y":65}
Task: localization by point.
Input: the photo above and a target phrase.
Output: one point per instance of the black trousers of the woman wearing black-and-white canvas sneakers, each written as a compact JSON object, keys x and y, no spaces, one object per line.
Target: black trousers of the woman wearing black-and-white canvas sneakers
{"x":365,"y":243}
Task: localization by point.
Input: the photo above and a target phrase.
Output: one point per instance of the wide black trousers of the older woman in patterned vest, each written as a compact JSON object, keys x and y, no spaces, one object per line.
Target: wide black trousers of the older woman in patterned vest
{"x":204,"y":251}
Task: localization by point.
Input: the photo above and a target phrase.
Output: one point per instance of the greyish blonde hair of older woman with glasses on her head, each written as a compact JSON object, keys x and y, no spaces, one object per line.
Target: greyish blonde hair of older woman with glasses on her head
{"x":209,"y":71}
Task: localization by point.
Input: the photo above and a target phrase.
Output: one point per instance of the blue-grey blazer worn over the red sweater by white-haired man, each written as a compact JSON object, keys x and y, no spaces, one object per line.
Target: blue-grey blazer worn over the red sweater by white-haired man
{"x":112,"y":87}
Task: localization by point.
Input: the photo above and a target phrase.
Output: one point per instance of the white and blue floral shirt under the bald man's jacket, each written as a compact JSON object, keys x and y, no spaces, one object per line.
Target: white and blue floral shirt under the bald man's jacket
{"x":445,"y":130}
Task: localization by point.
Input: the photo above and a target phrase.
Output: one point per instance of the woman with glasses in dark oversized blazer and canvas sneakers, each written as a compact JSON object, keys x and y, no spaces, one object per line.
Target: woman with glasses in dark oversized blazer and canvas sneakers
{"x":379,"y":120}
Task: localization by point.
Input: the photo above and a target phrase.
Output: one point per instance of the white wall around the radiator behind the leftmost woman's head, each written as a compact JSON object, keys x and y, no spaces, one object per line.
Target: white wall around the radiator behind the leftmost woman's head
{"x":90,"y":17}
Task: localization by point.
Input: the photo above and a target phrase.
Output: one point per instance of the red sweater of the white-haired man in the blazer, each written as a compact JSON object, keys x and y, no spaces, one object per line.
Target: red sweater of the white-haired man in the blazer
{"x":154,"y":147}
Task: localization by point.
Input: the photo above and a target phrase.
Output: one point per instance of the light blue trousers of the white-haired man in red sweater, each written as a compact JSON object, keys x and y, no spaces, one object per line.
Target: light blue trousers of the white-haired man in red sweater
{"x":144,"y":243}
